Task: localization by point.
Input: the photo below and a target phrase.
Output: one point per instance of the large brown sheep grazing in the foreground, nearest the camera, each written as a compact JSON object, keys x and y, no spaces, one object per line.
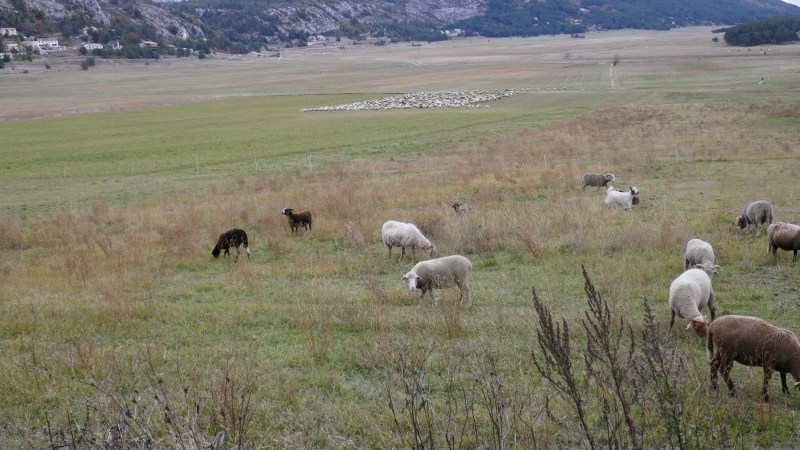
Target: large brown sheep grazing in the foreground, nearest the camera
{"x":752,"y":342}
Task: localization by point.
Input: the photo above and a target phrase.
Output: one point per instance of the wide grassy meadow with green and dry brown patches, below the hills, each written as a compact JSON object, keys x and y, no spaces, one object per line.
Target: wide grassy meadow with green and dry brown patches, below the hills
{"x":119,"y":329}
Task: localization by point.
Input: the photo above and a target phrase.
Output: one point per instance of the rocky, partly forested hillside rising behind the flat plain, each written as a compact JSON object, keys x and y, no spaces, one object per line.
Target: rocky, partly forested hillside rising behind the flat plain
{"x":240,"y":26}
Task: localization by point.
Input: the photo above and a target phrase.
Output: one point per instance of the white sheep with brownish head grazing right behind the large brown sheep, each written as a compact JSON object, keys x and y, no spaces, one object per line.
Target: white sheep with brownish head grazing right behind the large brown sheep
{"x":688,"y":294}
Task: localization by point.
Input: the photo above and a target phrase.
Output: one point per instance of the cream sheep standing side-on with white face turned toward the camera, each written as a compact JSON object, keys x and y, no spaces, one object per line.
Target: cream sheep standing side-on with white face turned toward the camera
{"x":440,"y":273}
